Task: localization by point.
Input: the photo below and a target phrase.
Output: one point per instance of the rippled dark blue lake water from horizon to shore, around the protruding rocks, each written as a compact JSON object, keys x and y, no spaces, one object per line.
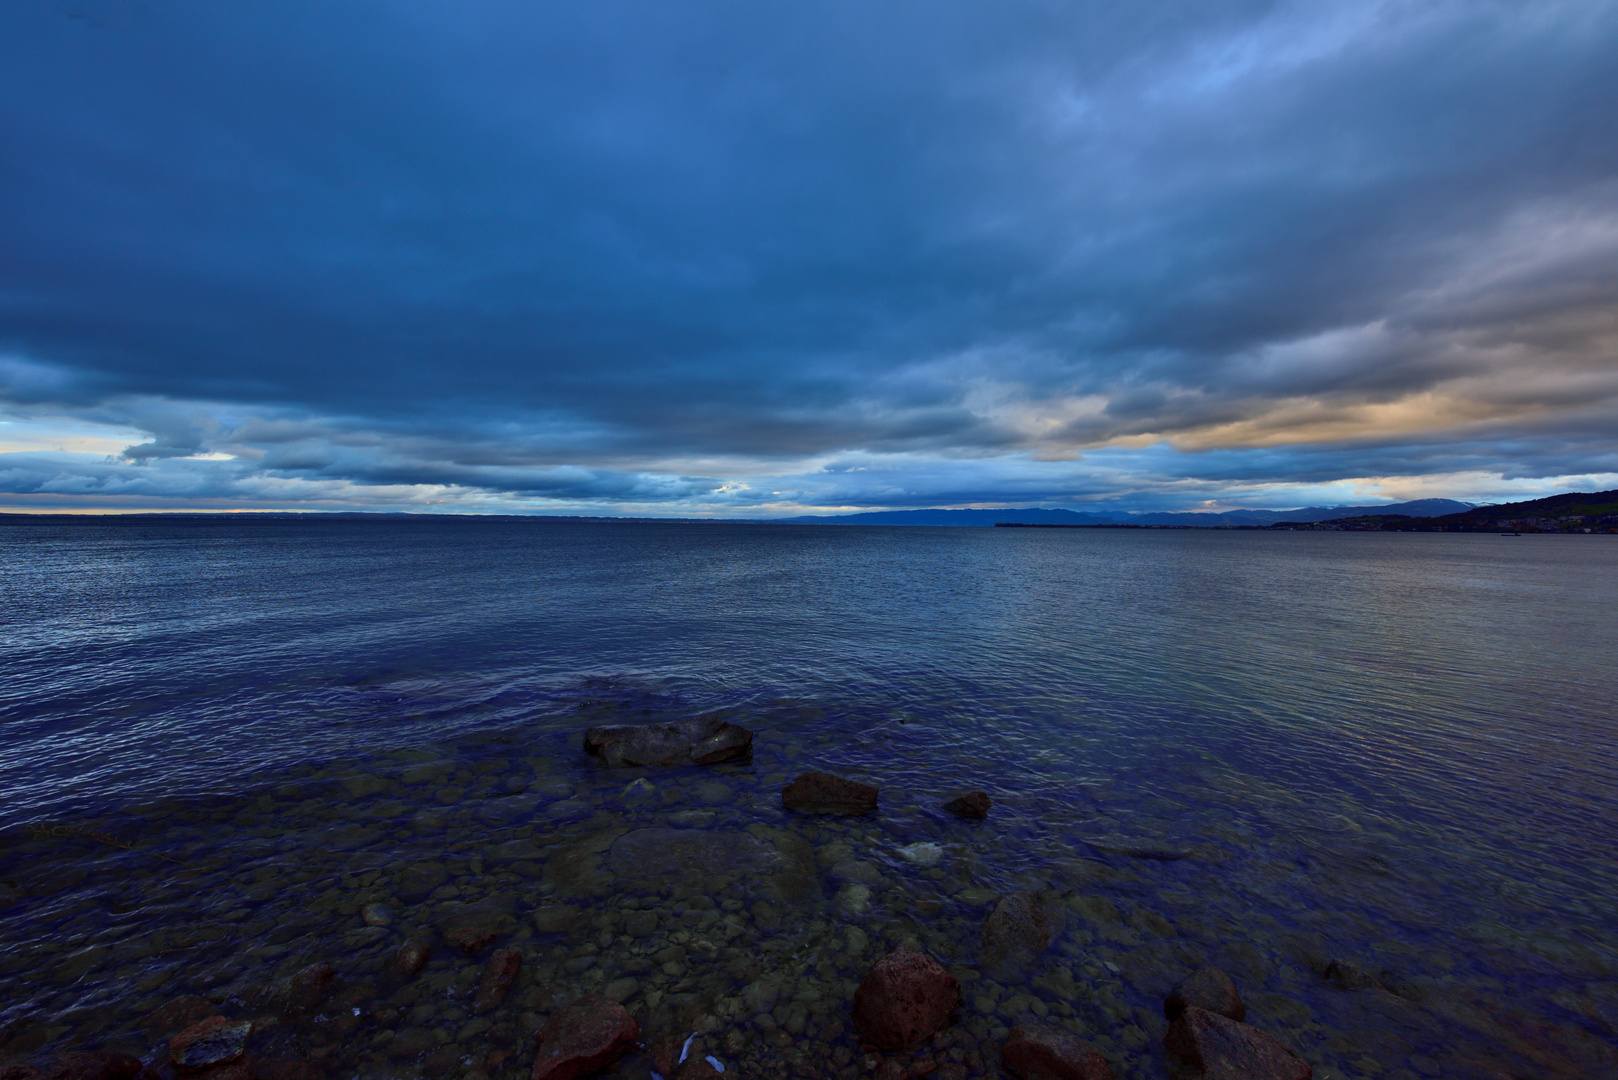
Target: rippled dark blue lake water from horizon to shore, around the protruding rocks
{"x":224,"y":741}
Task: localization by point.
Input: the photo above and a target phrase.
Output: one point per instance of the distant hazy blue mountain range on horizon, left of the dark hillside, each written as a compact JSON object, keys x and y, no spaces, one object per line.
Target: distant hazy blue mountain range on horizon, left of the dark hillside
{"x":1041,"y":516}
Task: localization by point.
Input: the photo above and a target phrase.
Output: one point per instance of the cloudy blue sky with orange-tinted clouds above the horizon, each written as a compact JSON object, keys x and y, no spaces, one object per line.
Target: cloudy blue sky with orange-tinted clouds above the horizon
{"x":761,"y":260}
